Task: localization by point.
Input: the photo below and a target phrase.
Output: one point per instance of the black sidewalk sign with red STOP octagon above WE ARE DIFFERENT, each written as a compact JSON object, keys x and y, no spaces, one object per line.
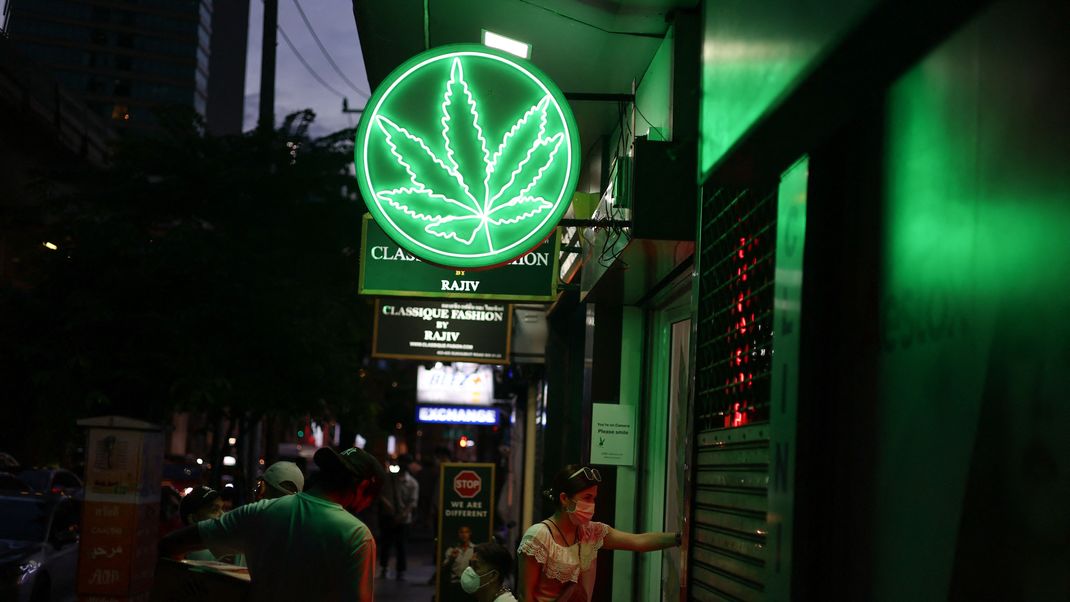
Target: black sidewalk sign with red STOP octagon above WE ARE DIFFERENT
{"x":467,"y":502}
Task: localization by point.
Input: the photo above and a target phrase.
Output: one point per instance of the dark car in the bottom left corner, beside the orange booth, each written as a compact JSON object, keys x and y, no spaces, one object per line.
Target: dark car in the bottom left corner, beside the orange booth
{"x":39,"y":547}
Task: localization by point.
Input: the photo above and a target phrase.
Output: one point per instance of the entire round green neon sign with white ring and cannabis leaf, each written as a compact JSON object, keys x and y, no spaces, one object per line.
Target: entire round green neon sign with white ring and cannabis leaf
{"x":467,"y":158}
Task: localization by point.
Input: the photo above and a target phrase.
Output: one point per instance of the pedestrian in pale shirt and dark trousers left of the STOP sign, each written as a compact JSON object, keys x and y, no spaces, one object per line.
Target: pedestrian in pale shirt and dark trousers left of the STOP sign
{"x":398,"y":506}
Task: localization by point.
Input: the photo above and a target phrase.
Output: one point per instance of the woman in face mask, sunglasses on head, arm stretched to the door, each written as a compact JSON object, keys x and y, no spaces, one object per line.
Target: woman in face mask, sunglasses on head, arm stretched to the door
{"x":558,"y":555}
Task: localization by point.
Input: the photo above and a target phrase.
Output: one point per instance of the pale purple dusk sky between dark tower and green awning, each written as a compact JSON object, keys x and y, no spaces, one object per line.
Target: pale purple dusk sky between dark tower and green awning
{"x":296,"y":88}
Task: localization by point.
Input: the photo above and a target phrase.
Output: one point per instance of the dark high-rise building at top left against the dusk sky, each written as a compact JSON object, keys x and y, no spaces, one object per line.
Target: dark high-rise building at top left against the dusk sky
{"x":129,"y":59}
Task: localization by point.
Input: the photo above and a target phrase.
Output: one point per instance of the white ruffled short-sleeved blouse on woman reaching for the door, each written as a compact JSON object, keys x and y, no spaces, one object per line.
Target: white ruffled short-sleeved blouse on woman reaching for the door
{"x":569,"y":572}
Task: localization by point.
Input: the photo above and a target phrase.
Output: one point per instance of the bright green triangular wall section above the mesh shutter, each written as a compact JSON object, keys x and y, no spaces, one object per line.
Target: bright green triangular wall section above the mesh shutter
{"x":754,"y":54}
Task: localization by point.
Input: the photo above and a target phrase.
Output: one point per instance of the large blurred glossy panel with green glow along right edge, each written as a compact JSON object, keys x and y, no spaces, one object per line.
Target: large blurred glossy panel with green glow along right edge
{"x":973,"y":468}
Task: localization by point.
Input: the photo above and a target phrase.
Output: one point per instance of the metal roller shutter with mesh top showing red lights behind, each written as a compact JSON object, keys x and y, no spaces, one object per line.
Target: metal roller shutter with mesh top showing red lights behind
{"x":735,"y":351}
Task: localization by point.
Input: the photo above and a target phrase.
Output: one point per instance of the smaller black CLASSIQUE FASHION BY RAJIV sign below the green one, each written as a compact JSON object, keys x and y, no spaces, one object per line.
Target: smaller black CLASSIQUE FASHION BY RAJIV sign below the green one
{"x":444,"y":331}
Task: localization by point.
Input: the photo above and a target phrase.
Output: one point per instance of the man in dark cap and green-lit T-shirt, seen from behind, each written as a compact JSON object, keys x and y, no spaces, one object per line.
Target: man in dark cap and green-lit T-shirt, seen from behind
{"x":304,"y":547}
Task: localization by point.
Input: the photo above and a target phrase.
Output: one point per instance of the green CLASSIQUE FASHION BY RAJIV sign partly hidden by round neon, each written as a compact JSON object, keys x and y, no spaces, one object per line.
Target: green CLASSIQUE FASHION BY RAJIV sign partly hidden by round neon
{"x":388,"y":270}
